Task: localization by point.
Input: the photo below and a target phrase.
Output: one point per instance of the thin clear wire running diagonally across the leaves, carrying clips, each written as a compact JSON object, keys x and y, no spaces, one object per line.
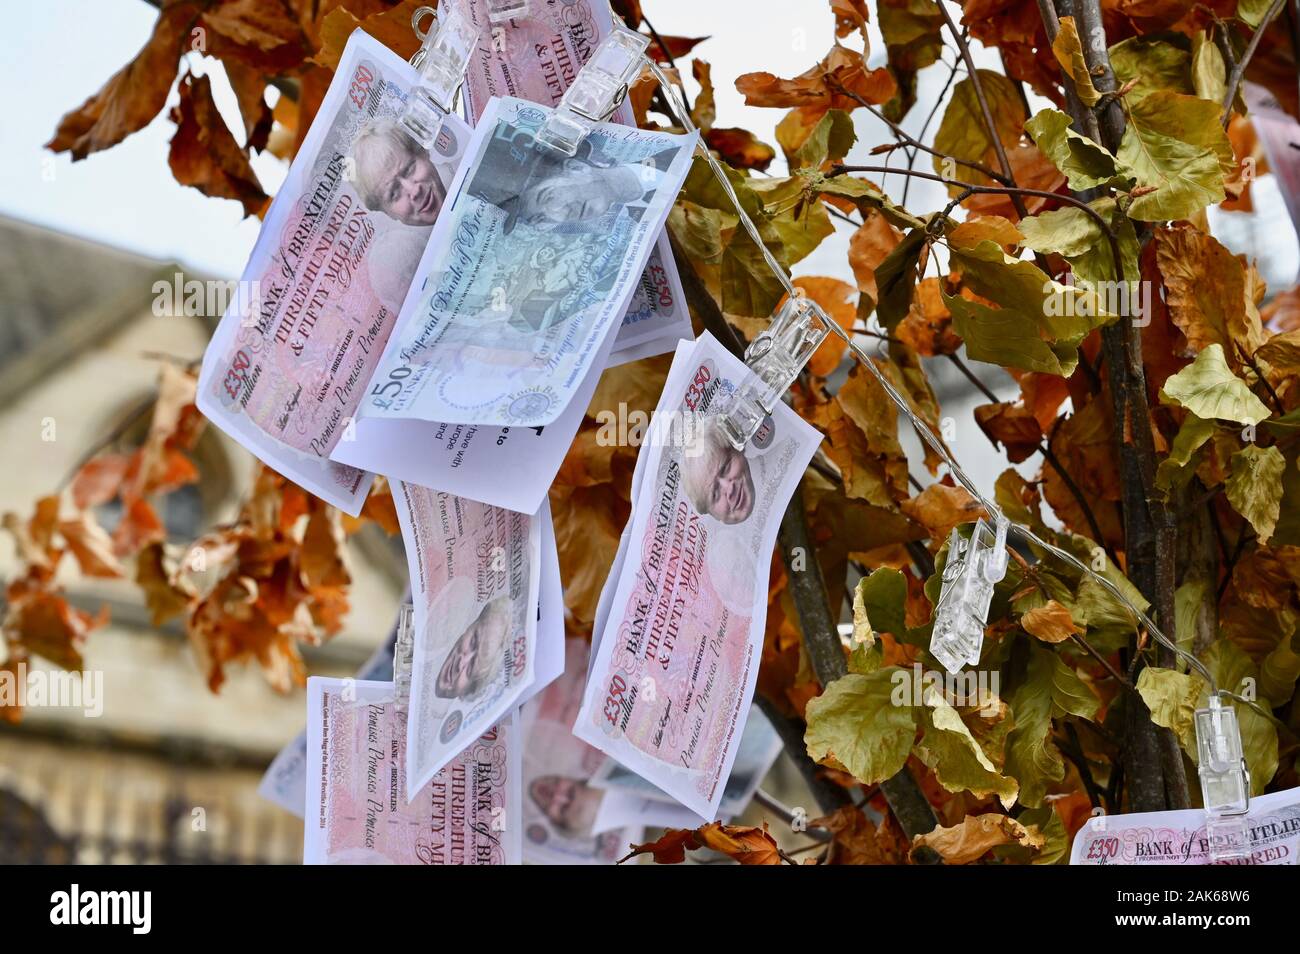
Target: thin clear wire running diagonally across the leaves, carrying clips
{"x":922,"y":427}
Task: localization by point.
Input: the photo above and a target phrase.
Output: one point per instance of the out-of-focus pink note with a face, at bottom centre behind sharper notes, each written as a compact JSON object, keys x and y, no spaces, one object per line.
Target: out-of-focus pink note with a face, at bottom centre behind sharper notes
{"x":561,"y":805}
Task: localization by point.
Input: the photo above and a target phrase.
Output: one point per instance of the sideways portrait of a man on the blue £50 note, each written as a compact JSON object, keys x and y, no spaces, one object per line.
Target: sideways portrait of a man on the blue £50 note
{"x":553,"y":193}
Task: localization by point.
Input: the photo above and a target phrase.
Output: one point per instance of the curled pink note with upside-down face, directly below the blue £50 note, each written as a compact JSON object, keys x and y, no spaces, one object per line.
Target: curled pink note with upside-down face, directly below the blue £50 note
{"x":476,"y":578}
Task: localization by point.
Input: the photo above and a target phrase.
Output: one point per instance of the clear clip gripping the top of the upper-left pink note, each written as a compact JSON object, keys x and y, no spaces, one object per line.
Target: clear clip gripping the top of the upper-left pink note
{"x":443,"y":62}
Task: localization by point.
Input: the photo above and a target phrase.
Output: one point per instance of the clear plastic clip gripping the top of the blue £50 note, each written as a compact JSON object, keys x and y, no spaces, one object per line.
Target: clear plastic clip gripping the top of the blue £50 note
{"x":597,"y":92}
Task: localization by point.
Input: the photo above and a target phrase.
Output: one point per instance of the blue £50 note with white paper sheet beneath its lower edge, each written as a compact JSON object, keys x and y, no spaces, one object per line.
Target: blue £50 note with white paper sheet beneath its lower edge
{"x":509,"y":319}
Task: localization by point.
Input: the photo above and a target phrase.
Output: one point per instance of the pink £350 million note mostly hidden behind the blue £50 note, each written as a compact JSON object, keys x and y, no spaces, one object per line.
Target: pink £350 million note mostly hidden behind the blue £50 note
{"x":536,"y":58}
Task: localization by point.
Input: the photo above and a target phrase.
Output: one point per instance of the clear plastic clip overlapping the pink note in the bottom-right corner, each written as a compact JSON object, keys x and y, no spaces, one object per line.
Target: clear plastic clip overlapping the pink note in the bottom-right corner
{"x":1225,"y":780}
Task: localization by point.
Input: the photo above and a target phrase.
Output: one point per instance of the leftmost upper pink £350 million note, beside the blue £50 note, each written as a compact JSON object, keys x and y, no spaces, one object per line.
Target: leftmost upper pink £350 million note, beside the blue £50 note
{"x":294,"y":353}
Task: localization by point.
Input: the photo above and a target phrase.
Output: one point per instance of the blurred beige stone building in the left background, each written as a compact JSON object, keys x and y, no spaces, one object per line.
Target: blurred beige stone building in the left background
{"x":168,"y":771}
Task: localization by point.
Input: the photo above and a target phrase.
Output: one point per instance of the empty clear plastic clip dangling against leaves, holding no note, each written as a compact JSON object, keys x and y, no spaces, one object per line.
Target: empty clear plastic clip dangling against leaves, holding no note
{"x":974,"y":567}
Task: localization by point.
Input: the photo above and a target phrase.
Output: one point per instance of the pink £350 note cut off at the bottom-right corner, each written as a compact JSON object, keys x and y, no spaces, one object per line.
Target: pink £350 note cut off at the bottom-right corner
{"x":1180,"y":838}
